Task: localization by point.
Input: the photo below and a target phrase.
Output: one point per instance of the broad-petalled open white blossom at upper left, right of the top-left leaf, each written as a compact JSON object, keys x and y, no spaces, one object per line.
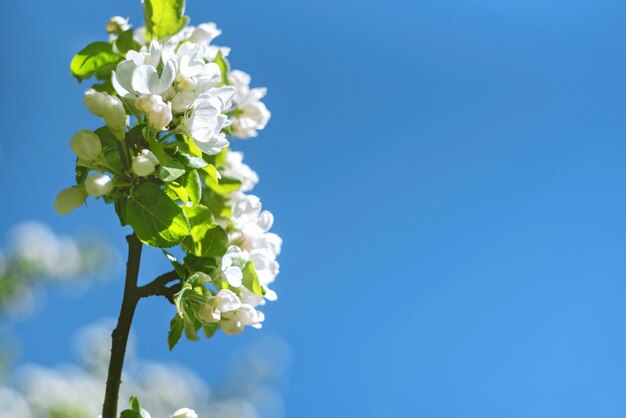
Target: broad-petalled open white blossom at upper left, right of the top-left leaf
{"x":138,"y":74}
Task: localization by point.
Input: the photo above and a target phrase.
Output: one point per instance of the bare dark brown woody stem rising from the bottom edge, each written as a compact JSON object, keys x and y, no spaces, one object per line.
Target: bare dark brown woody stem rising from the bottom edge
{"x":120,"y":333}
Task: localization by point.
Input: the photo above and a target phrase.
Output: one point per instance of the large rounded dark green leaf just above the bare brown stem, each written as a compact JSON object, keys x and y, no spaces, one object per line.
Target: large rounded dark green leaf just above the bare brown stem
{"x":157,"y":220}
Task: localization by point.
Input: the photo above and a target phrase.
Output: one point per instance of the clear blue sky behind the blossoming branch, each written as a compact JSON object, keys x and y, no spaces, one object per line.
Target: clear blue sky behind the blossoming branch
{"x":448,"y":177}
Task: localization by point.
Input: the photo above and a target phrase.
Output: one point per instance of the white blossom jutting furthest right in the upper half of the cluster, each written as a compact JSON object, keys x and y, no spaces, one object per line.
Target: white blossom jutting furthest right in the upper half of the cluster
{"x":252,"y":115}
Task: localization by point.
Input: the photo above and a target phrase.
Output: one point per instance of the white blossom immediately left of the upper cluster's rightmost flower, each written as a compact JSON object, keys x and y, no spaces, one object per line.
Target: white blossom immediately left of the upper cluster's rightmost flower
{"x":206,"y":120}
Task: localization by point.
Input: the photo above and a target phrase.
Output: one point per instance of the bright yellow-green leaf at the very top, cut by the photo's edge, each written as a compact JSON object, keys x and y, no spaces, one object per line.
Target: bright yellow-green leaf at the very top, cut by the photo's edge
{"x":164,"y":17}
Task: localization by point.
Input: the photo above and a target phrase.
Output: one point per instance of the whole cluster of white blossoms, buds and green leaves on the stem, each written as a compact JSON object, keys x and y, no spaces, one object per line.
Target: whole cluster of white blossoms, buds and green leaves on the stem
{"x":171,"y":107}
